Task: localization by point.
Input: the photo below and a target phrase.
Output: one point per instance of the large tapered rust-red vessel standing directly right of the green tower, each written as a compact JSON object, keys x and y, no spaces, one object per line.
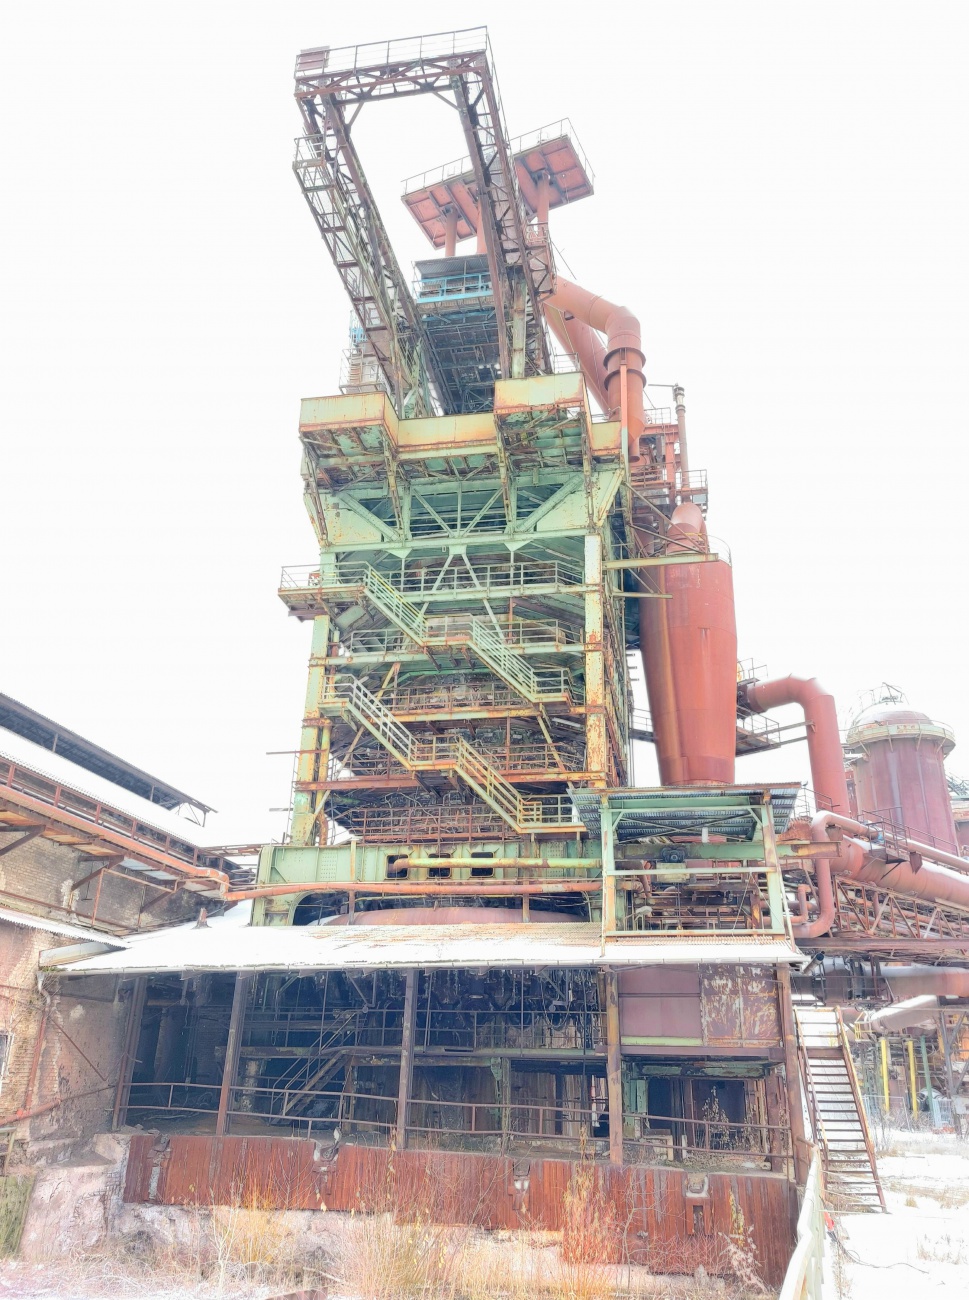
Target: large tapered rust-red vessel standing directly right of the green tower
{"x":690,"y":649}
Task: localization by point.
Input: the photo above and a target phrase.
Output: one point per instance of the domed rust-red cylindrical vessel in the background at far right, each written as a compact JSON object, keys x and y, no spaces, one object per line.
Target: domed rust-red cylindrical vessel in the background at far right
{"x":898,"y":757}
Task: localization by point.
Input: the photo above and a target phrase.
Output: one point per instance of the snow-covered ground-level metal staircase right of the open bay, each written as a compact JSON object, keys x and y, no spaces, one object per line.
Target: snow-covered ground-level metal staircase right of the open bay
{"x":838,"y":1112}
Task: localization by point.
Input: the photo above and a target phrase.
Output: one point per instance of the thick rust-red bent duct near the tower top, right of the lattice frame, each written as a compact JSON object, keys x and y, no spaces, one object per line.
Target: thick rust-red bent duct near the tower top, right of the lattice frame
{"x":624,"y":350}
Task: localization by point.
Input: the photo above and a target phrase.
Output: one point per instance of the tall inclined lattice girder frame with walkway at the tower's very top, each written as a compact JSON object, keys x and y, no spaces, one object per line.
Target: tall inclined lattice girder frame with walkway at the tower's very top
{"x":332,"y":180}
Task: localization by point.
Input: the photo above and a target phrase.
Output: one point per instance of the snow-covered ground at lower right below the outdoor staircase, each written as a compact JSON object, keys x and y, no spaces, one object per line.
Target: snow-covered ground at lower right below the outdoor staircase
{"x":922,"y":1246}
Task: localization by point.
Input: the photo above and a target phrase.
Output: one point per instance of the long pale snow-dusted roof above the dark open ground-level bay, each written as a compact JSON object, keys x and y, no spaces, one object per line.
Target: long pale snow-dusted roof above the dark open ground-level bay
{"x":284,"y":948}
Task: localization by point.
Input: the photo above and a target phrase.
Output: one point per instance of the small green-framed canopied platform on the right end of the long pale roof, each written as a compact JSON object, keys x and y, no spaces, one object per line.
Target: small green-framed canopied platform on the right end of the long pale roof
{"x":700,"y":860}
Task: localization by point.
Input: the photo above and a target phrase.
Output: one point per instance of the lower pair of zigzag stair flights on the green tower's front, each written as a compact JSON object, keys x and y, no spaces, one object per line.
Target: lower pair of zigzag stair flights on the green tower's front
{"x":451,"y":753}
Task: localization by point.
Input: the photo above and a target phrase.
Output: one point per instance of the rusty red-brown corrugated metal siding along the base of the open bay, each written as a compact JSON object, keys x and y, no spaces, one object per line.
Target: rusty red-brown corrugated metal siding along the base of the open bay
{"x":661,"y":1224}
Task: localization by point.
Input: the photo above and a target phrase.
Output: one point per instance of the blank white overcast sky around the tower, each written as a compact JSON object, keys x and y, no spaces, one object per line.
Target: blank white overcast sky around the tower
{"x":781,"y":196}
